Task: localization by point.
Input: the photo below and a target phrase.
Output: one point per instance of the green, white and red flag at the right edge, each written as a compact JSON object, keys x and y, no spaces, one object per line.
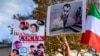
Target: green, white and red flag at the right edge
{"x":92,"y":33}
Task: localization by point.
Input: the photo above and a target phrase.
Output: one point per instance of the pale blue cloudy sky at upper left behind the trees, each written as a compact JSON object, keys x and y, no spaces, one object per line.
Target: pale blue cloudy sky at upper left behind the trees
{"x":10,"y":7}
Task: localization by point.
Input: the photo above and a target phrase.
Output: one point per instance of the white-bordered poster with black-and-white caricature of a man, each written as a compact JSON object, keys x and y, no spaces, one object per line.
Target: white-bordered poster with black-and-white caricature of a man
{"x":66,"y":18}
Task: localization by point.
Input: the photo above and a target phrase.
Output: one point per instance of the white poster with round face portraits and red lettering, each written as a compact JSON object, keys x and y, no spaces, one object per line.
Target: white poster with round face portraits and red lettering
{"x":28,"y":38}
